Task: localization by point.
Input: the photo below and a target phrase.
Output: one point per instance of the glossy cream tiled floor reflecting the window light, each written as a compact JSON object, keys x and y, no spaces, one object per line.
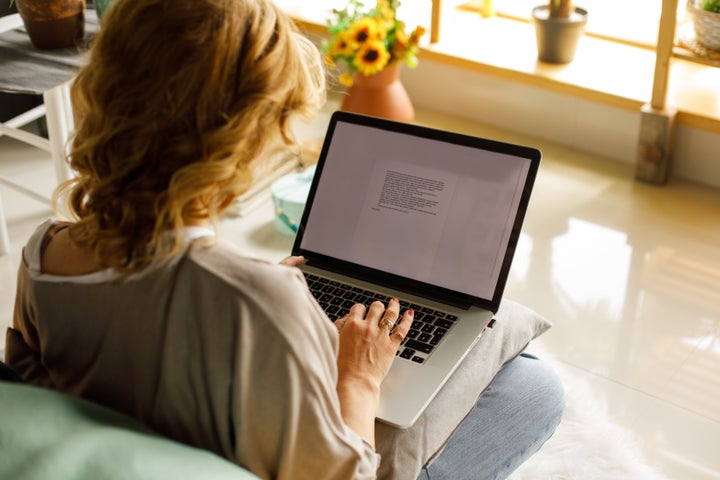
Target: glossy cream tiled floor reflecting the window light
{"x":628,"y":273}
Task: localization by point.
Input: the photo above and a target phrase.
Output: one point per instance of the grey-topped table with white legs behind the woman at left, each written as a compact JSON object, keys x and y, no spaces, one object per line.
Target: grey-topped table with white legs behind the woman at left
{"x":27,"y":70}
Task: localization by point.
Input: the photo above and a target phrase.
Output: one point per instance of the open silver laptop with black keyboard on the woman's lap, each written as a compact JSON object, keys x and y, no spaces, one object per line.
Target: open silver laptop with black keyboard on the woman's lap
{"x":429,"y":216}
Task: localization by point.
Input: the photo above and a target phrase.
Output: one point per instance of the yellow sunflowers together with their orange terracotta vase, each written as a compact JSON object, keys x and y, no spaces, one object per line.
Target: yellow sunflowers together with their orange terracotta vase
{"x":370,"y":44}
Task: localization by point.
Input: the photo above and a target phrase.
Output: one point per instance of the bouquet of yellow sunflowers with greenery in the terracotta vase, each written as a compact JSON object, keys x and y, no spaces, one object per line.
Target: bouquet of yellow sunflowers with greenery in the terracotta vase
{"x":366,"y":40}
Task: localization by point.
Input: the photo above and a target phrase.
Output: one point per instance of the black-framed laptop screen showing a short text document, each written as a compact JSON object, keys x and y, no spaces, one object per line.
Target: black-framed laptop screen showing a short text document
{"x":417,"y":208}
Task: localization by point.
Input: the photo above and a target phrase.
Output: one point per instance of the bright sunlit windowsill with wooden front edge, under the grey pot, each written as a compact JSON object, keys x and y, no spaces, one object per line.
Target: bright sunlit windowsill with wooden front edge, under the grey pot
{"x":602,"y":71}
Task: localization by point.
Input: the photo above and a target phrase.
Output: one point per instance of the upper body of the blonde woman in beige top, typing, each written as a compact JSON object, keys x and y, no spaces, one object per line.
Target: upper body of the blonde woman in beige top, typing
{"x":136,"y":304}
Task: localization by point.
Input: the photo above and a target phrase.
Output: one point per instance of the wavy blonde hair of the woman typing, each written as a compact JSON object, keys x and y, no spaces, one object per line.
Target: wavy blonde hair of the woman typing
{"x":177,"y":105}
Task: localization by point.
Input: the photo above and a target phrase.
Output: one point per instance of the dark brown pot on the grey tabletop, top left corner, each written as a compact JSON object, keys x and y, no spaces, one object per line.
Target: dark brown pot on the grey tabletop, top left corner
{"x":53,"y":23}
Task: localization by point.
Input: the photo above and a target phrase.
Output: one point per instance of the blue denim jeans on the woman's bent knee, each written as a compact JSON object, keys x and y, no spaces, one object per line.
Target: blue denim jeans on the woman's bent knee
{"x":512,"y":419}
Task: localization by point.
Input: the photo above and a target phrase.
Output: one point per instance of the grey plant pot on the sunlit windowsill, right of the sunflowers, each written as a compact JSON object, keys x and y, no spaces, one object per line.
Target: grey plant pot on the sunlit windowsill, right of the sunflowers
{"x":557,"y":38}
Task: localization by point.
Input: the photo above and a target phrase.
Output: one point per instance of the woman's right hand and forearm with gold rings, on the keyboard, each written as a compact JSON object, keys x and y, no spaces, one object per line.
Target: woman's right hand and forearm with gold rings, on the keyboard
{"x":367,"y":349}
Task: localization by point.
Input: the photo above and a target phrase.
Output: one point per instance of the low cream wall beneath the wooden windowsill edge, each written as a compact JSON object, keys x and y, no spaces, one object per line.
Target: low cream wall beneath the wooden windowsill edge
{"x":571,"y":121}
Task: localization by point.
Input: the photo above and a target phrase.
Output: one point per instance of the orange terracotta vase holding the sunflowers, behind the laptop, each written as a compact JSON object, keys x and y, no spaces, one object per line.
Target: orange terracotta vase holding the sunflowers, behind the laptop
{"x":380,"y":95}
